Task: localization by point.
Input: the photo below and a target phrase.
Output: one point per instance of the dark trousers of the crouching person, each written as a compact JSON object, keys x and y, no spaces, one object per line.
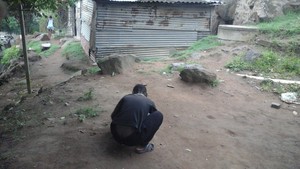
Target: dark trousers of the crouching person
{"x":150,"y":126}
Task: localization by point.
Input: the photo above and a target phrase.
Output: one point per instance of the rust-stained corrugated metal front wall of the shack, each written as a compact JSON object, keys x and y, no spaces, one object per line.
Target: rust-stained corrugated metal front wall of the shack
{"x":149,"y":29}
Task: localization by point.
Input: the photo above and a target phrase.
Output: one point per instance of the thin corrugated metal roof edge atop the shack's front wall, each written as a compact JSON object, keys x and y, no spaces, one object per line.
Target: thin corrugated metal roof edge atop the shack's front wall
{"x":174,"y":1}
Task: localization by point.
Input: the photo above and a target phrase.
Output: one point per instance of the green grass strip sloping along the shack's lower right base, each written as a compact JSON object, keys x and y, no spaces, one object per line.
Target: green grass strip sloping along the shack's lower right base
{"x":202,"y":44}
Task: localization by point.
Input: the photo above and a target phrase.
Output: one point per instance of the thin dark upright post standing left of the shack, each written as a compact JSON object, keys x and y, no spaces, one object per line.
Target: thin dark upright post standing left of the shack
{"x":22,"y":25}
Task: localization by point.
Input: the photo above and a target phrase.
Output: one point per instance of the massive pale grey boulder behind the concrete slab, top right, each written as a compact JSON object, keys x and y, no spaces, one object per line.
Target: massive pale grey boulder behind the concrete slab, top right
{"x":240,"y":12}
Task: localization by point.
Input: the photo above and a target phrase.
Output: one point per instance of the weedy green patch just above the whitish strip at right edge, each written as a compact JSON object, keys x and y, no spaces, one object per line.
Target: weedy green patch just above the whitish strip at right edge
{"x":269,"y":62}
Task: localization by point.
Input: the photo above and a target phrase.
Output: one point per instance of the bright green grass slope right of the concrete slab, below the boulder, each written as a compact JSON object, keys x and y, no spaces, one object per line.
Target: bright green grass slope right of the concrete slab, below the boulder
{"x":283,"y":26}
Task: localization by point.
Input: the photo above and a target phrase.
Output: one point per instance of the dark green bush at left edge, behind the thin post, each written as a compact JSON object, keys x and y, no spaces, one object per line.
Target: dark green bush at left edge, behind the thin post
{"x":10,"y":25}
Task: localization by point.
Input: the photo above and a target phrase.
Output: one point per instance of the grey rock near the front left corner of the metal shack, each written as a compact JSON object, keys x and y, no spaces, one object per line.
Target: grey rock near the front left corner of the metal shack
{"x":116,"y":63}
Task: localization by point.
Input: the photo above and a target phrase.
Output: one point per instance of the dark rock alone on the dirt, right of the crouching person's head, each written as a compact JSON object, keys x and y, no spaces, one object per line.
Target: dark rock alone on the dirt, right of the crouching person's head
{"x":196,"y":73}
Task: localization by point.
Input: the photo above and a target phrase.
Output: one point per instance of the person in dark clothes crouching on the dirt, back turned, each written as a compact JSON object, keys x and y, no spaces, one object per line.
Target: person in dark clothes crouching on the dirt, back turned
{"x":135,"y":120}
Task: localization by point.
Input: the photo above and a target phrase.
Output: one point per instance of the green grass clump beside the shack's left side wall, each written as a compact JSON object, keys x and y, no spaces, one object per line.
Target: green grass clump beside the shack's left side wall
{"x":74,"y":50}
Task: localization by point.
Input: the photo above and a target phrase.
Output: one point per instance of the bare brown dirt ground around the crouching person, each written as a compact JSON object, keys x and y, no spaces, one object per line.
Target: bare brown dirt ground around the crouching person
{"x":231,"y":126}
